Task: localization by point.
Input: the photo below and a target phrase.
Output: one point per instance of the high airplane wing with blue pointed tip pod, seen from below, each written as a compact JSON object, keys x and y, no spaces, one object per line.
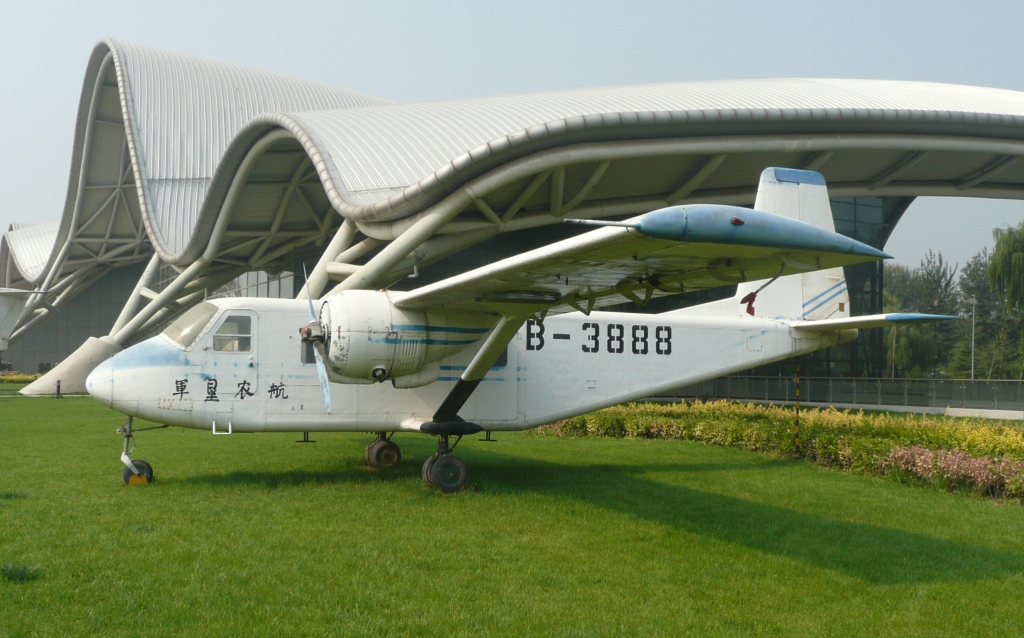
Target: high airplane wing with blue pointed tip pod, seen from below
{"x":665,"y":252}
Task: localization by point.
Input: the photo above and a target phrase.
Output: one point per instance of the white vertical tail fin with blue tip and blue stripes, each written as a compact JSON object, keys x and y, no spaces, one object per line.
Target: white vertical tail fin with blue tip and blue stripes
{"x":816,"y":294}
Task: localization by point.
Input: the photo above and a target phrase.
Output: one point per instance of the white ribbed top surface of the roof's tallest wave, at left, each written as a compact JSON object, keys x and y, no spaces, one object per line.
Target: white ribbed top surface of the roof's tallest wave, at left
{"x":183,"y":112}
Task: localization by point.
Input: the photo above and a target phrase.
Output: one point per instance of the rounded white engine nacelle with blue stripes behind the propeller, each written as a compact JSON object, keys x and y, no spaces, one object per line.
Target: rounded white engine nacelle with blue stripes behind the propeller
{"x":369,"y":339}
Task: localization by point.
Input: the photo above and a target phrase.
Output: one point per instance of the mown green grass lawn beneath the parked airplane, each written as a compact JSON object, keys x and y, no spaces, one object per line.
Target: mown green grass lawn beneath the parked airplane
{"x":258,"y":536}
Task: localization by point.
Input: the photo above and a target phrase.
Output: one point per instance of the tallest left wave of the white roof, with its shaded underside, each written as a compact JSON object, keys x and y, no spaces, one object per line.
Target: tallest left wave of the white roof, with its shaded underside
{"x":155,"y":125}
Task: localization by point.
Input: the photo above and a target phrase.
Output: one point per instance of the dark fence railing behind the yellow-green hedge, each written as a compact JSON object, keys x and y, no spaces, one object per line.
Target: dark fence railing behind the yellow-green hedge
{"x":908,"y":393}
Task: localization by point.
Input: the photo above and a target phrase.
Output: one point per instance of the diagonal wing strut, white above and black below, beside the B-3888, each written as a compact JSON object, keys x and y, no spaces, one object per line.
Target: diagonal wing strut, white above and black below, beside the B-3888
{"x":447,"y":420}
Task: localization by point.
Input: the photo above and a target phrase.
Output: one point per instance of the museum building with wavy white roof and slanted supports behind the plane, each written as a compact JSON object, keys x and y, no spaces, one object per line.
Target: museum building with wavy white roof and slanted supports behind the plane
{"x":193,"y":179}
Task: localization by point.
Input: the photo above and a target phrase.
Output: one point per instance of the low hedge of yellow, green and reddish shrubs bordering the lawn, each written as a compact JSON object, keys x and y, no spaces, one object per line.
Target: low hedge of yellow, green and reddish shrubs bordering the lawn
{"x":970,"y":455}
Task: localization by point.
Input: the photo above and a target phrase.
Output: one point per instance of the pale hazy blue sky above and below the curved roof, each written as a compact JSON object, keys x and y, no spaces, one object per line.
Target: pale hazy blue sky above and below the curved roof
{"x":416,"y":52}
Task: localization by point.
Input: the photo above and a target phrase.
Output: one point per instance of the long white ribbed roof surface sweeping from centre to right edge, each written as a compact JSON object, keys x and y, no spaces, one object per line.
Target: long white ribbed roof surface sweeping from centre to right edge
{"x":380,"y":162}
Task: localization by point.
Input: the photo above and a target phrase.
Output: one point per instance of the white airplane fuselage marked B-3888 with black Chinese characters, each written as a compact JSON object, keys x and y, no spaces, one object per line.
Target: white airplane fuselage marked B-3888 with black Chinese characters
{"x":570,"y":365}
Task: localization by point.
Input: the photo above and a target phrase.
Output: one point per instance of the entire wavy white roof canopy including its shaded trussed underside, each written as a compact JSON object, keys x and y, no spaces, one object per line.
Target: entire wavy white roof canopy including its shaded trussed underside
{"x":167,"y":145}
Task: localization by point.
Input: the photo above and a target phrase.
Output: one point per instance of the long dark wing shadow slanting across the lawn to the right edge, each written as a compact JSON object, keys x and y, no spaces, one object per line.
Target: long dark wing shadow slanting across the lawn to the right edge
{"x":873,"y":554}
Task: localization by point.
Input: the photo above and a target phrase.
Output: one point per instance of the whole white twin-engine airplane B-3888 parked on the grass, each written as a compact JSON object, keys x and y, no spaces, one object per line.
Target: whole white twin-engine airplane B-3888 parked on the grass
{"x":481,"y":352}
